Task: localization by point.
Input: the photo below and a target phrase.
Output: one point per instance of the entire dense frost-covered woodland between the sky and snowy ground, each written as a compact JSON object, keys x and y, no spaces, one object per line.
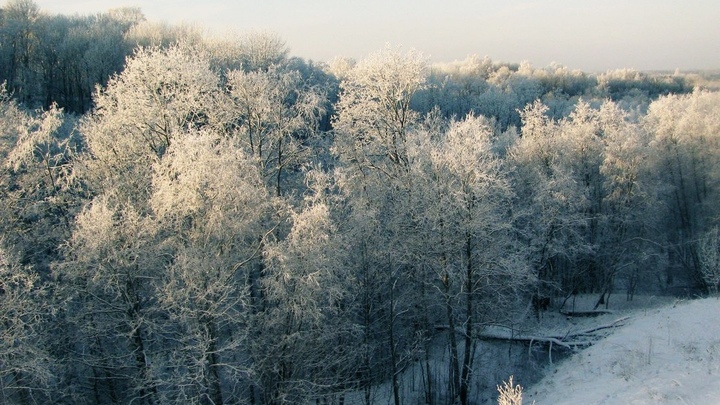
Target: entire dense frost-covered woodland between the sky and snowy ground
{"x":199,"y":220}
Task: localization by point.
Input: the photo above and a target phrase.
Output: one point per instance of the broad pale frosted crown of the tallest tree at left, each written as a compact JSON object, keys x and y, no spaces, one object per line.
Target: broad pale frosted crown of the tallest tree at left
{"x":161,"y":94}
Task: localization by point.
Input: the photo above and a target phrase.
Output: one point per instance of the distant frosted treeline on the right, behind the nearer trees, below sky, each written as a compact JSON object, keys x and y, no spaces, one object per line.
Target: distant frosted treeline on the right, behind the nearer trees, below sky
{"x":501,"y":90}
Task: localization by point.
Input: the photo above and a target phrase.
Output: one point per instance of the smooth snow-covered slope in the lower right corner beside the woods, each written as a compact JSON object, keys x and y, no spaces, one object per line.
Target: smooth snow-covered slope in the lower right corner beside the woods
{"x":668,"y":355}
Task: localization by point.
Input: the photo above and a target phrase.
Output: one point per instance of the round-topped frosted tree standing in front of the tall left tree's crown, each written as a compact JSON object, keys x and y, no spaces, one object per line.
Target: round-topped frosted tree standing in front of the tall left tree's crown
{"x":209,"y":201}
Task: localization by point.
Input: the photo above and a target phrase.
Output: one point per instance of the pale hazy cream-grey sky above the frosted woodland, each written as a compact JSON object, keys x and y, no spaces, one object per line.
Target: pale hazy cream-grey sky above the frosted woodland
{"x":590,"y":35}
